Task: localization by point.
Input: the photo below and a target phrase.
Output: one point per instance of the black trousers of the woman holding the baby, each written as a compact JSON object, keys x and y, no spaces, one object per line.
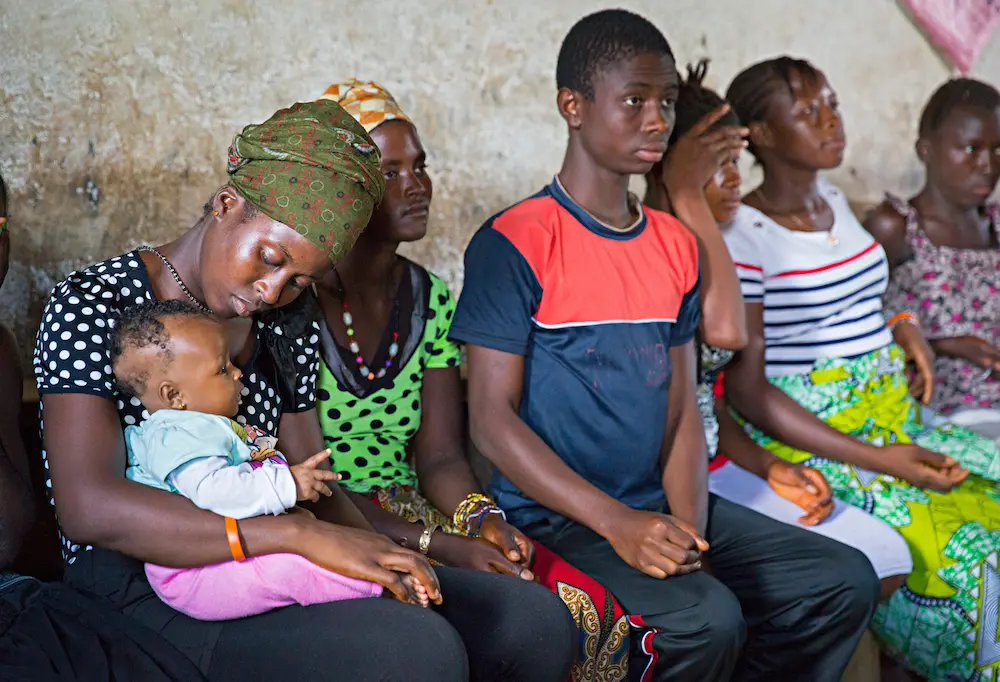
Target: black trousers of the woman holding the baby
{"x":490,"y":627}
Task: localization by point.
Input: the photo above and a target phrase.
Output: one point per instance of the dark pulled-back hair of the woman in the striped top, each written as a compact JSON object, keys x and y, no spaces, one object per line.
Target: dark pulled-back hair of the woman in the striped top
{"x":752,"y":92}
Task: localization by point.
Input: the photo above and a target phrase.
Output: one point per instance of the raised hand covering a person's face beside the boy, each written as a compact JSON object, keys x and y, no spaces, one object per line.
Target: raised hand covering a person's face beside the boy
{"x":699,"y":153}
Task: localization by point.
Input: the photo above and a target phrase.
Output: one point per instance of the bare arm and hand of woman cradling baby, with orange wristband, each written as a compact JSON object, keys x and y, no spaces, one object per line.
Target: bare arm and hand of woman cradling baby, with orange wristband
{"x":97,"y":505}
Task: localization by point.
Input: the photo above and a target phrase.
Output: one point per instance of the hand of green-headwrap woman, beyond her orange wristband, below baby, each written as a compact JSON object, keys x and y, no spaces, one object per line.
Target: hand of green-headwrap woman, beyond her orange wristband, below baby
{"x":368,"y":556}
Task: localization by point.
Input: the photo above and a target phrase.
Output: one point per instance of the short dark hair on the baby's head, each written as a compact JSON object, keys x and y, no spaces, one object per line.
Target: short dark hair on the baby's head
{"x":142,"y":326}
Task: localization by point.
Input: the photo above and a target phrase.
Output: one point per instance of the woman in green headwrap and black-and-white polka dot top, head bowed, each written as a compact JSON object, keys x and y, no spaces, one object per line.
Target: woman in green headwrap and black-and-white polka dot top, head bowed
{"x":302,"y":187}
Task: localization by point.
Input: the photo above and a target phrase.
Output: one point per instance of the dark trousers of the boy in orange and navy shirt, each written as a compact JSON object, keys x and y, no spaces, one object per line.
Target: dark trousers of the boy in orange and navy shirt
{"x":781,"y":603}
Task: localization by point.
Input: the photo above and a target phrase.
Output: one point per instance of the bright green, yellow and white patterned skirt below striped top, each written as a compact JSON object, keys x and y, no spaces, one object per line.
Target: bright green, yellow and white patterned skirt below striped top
{"x":943,"y":621}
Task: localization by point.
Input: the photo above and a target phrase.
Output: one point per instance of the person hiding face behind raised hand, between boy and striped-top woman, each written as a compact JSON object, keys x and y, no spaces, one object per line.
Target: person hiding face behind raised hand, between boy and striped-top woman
{"x":739,"y":469}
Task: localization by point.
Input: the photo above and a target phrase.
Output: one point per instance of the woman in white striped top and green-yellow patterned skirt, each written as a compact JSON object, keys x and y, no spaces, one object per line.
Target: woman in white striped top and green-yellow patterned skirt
{"x":813,"y":281}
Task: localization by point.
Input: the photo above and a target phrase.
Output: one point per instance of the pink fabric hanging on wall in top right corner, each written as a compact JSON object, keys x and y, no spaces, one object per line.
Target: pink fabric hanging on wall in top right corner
{"x":959,"y":28}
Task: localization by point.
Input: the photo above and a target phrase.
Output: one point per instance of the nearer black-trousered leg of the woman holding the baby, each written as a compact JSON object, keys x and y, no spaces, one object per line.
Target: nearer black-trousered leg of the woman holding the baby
{"x":342,"y":640}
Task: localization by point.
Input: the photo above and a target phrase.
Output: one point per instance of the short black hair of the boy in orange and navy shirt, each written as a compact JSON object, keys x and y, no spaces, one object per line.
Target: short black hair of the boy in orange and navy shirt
{"x":600,"y":40}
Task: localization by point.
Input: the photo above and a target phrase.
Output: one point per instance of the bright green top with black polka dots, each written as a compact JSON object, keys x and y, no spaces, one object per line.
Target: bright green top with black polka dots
{"x":369,"y":436}
